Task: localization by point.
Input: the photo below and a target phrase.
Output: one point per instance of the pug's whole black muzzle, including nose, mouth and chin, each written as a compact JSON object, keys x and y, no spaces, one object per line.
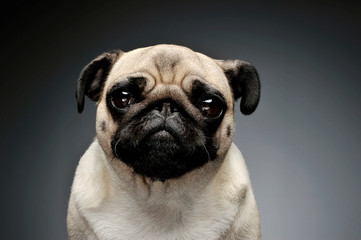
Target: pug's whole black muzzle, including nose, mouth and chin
{"x":163,"y":141}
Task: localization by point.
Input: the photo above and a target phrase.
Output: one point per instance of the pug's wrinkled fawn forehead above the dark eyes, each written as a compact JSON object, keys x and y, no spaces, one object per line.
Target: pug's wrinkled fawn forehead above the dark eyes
{"x":168,"y":64}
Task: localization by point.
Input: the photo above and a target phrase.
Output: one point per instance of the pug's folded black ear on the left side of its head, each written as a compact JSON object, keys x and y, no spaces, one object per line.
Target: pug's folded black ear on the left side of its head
{"x":93,"y":76}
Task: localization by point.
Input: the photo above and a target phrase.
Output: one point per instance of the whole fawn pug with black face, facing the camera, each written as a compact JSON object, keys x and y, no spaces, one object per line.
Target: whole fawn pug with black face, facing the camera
{"x":163,"y":165}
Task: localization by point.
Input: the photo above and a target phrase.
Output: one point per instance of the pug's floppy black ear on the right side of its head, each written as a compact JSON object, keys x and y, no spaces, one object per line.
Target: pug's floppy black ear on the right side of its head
{"x":244,"y":81}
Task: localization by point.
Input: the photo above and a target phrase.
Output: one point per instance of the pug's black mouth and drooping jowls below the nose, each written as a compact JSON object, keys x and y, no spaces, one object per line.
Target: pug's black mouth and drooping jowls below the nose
{"x":163,"y":149}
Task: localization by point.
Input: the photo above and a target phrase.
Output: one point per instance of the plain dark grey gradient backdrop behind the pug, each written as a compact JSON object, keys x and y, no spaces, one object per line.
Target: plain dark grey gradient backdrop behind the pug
{"x":302,"y":145}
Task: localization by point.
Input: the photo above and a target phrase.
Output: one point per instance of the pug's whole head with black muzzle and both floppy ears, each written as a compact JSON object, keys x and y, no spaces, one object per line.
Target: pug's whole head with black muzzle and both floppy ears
{"x":165,"y":110}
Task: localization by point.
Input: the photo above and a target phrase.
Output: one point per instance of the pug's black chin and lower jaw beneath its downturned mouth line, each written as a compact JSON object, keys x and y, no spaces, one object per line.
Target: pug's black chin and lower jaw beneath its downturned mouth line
{"x":161,"y":155}
